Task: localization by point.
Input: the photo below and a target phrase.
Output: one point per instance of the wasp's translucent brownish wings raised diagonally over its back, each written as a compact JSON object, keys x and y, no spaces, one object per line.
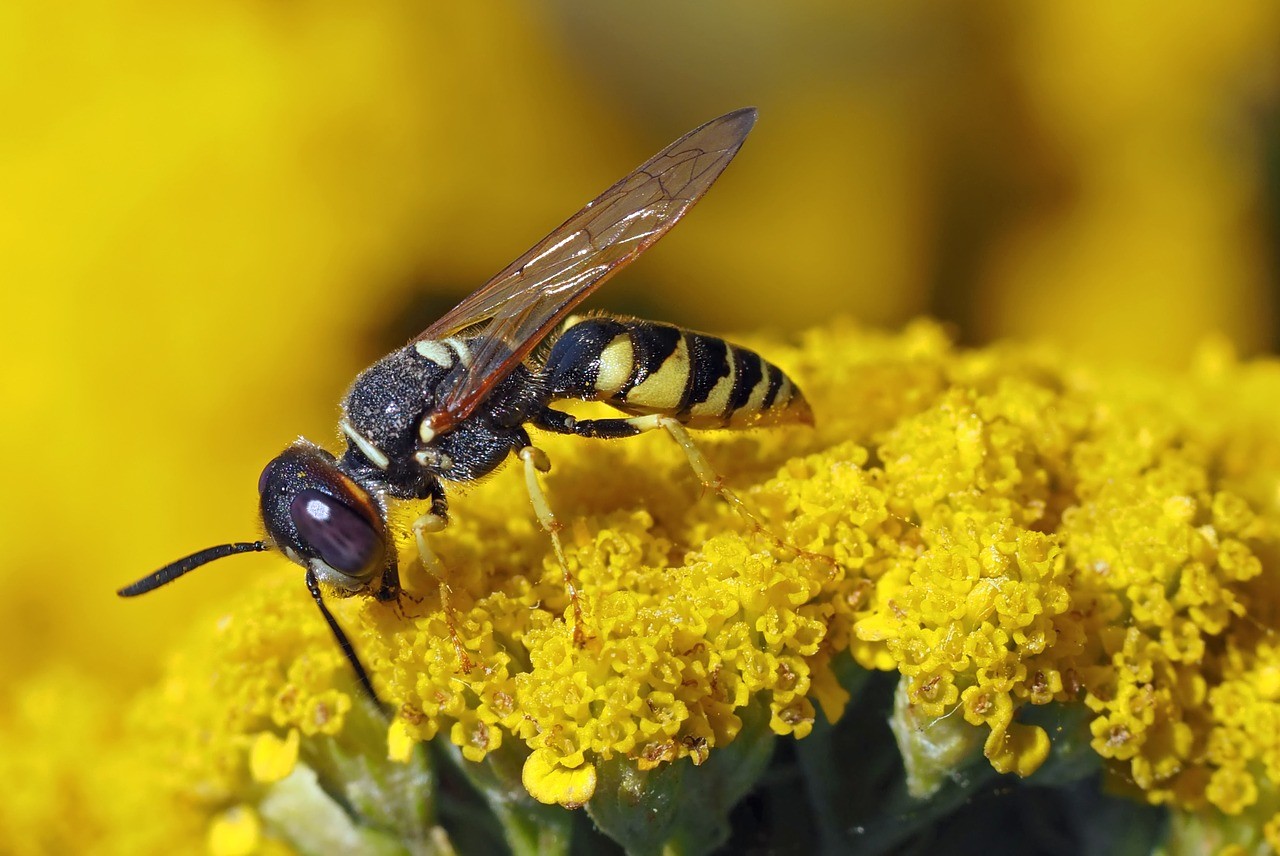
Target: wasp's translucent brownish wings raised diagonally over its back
{"x":525,"y":303}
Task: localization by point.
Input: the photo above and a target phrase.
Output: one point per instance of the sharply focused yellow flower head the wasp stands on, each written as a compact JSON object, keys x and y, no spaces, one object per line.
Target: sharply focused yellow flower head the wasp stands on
{"x":1003,"y":529}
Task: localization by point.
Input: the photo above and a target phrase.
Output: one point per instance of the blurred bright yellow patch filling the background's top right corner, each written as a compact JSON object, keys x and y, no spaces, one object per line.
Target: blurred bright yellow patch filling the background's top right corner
{"x":1158,"y":122}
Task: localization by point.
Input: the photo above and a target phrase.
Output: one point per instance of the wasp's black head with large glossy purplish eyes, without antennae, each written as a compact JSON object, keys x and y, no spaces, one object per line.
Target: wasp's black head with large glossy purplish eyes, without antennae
{"x":322,"y":519}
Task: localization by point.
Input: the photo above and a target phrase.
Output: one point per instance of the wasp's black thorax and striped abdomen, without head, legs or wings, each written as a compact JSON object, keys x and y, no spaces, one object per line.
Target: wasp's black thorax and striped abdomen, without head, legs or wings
{"x":637,"y":367}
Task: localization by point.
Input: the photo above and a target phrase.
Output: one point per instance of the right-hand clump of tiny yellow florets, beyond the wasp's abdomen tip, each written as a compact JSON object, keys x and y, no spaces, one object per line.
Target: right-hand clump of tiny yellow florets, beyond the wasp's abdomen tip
{"x":1100,"y":541}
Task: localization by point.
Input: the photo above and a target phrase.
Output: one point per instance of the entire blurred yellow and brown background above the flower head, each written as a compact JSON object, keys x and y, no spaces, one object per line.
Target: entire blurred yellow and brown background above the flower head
{"x":213,"y":216}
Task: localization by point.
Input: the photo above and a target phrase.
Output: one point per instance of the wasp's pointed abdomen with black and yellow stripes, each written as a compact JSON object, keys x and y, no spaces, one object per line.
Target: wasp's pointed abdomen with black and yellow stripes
{"x":644,"y":368}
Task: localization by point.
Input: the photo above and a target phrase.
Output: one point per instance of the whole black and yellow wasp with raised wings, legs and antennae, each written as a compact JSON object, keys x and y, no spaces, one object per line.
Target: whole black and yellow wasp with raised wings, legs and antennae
{"x":454,"y":404}
